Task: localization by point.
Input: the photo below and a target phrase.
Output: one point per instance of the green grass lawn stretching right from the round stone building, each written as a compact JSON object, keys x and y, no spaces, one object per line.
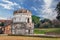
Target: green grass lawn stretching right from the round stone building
{"x":45,"y":30}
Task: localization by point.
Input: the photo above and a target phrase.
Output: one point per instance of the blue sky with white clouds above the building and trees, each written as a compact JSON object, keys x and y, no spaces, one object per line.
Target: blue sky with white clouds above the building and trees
{"x":41,"y":8}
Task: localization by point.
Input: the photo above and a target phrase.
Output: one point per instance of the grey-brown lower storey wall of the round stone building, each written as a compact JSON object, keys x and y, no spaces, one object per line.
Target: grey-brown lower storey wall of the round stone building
{"x":22,"y":28}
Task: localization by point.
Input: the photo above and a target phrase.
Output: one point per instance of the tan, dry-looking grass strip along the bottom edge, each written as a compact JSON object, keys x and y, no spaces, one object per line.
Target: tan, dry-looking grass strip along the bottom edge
{"x":25,"y":38}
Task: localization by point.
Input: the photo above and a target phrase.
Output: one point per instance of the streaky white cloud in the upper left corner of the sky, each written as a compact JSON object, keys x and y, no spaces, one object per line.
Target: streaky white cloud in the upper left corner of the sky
{"x":9,"y":5}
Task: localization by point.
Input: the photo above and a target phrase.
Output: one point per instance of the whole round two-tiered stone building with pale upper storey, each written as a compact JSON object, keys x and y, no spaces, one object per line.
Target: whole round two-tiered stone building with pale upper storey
{"x":22,"y":22}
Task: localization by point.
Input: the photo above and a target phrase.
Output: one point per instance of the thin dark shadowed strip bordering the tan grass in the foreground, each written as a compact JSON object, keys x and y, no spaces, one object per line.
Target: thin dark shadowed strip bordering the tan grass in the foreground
{"x":41,"y":36}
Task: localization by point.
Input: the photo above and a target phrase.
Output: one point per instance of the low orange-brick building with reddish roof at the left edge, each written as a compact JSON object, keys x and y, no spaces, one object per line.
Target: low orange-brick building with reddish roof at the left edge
{"x":6,"y":28}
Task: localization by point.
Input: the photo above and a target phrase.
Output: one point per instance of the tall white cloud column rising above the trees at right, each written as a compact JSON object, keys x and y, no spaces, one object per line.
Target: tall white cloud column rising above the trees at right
{"x":47,"y":11}
